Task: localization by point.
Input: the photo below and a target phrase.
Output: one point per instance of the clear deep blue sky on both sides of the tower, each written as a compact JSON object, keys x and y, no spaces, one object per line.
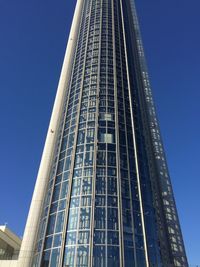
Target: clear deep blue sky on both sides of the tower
{"x":33,"y":37}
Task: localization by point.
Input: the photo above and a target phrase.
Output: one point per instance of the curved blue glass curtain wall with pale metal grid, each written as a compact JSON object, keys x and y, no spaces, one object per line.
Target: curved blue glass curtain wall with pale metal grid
{"x":99,"y":207}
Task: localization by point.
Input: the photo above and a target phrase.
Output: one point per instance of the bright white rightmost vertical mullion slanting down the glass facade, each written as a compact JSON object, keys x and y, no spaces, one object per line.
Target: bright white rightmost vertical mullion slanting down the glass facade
{"x":134,"y":142}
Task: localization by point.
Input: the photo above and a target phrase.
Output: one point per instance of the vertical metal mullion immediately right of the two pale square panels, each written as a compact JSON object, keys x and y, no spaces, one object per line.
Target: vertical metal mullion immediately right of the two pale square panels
{"x":120,"y":216}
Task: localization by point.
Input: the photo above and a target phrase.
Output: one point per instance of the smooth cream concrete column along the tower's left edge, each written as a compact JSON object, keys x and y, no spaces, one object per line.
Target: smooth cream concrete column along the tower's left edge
{"x":30,"y":233}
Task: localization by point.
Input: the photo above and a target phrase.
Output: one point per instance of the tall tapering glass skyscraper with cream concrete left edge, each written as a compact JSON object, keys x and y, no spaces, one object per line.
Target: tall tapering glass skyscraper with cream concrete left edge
{"x":103,"y":195}
